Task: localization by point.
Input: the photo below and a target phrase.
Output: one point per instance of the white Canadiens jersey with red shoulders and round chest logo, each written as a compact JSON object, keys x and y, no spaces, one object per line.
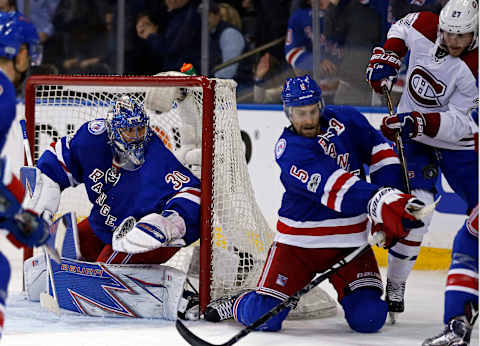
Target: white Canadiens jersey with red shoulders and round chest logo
{"x":436,"y":82}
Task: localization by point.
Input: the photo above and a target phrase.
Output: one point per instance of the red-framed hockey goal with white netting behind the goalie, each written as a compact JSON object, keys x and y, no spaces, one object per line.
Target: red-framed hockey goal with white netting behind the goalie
{"x":235,"y":236}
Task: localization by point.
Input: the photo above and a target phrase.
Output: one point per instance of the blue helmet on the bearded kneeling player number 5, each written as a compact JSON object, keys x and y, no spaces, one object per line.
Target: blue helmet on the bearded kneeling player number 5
{"x":301,"y":91}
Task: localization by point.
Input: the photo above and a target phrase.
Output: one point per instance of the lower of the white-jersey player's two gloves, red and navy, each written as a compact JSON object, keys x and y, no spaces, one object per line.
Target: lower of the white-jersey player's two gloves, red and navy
{"x":411,"y":125}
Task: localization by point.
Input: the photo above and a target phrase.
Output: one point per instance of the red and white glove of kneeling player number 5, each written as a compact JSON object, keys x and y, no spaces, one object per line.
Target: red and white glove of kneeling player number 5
{"x":393,"y":213}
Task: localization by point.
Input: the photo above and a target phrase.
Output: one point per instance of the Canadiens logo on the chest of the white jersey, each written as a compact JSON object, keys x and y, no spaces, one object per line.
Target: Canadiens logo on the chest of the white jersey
{"x":424,"y":88}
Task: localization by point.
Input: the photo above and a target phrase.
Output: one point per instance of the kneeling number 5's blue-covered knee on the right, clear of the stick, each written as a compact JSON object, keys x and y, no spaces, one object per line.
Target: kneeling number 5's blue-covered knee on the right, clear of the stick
{"x":365,"y":312}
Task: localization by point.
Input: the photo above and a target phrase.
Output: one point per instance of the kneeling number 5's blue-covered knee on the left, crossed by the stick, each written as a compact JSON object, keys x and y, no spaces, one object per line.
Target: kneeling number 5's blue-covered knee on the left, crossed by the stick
{"x":252,"y":306}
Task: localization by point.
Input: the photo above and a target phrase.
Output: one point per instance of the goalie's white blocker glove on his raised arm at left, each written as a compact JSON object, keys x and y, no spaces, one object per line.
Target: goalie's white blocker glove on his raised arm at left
{"x":42,"y":193}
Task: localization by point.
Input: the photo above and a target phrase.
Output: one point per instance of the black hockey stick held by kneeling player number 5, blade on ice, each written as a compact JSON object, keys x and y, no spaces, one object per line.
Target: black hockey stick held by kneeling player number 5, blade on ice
{"x":194,"y":340}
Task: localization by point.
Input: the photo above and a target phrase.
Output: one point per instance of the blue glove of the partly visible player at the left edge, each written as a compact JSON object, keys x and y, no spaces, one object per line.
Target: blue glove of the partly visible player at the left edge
{"x":27,"y":228}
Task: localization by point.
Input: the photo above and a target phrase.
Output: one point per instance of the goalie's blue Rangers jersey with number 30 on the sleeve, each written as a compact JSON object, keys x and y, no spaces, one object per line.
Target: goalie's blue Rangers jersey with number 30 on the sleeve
{"x":161,"y":183}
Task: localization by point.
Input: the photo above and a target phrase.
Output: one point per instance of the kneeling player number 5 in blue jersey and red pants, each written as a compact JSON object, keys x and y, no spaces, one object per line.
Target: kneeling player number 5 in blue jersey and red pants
{"x":325,"y":211}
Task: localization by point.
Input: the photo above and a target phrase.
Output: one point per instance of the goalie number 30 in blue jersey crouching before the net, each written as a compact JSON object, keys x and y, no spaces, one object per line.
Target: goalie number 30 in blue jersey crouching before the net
{"x":146,"y":205}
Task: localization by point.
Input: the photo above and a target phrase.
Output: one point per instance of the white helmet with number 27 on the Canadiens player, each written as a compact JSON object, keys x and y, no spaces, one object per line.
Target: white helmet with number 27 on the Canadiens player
{"x":460,"y":17}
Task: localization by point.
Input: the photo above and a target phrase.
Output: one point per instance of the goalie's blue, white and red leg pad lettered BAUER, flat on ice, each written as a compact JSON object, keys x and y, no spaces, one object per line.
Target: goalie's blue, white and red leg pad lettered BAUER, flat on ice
{"x":114,"y":290}
